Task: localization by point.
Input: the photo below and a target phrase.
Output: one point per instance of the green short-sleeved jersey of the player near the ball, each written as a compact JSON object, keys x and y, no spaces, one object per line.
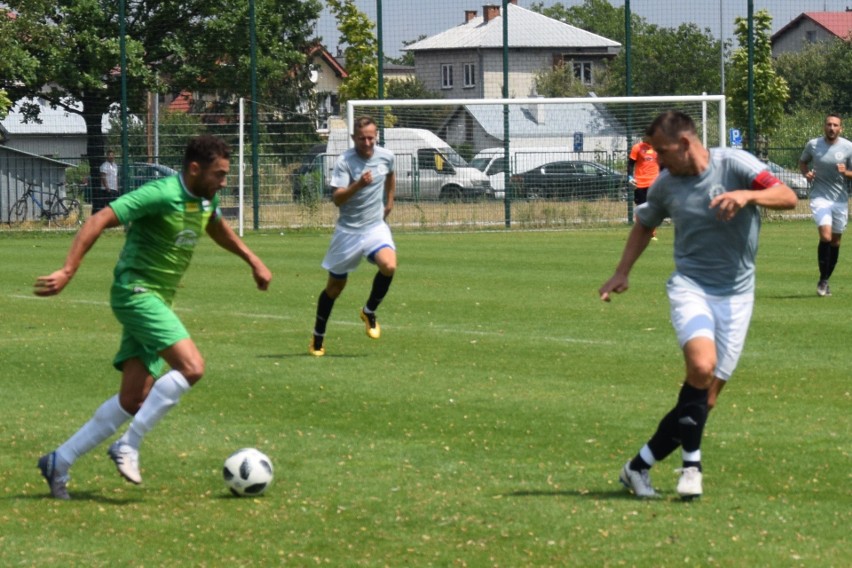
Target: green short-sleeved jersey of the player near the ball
{"x":165,"y":222}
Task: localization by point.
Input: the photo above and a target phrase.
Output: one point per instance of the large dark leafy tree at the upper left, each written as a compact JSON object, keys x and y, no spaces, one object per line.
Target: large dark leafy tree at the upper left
{"x":197,"y":45}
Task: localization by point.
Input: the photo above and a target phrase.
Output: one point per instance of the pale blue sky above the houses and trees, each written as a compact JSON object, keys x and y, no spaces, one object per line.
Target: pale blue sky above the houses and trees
{"x":405,"y":20}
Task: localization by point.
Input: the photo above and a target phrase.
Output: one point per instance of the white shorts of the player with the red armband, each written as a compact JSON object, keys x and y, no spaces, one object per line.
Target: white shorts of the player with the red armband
{"x":724,"y":319}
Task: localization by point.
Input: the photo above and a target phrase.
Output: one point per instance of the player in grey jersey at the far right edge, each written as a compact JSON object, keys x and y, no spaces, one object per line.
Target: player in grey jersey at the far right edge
{"x":827,"y":163}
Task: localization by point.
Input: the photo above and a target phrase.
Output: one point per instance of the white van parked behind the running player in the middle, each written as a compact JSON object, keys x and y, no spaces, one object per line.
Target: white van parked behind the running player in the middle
{"x":426,"y":166}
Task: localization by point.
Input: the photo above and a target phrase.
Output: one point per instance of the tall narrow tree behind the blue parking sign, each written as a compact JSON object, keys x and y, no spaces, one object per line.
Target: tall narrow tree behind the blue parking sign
{"x":770,"y":90}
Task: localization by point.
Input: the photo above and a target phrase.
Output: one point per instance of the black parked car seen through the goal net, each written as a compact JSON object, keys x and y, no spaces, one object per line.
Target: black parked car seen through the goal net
{"x":571,"y":179}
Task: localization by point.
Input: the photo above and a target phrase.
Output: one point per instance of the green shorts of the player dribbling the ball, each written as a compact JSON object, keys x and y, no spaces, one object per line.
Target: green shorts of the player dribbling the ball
{"x":149,"y":325}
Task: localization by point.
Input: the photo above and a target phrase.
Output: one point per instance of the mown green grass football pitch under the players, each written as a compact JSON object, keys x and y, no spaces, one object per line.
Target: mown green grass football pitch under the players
{"x":486,"y":427}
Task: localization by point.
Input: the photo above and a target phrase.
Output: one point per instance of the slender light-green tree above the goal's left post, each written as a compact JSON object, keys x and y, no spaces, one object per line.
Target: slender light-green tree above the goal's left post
{"x":360,"y":53}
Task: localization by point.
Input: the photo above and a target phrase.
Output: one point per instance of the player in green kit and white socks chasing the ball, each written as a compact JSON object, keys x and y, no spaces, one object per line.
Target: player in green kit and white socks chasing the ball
{"x":165,"y":219}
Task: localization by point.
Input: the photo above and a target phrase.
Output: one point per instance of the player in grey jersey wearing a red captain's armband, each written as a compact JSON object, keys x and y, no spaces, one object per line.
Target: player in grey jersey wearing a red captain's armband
{"x":712,"y":198}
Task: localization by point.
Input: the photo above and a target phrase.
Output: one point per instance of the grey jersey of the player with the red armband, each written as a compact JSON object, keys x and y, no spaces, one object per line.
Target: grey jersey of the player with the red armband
{"x":712,"y":255}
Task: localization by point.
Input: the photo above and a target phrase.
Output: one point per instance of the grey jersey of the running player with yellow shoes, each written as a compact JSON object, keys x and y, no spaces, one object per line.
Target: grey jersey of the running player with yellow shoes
{"x":365,"y":209}
